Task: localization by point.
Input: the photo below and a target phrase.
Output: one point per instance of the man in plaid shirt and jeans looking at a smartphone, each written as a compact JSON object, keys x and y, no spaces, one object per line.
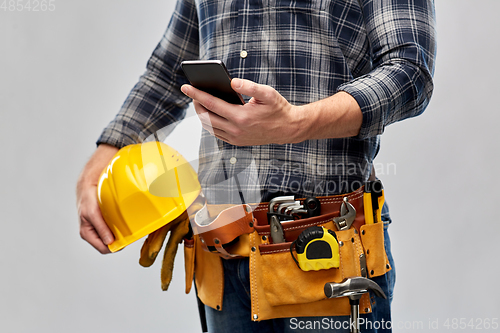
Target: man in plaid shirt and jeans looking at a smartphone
{"x":321,"y":79}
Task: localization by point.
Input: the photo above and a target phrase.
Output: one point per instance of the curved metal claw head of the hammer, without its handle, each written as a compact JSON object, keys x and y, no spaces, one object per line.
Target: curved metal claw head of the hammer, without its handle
{"x":352,"y":287}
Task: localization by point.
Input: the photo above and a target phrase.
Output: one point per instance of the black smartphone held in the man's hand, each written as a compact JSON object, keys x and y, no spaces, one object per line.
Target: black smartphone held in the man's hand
{"x":212,"y":77}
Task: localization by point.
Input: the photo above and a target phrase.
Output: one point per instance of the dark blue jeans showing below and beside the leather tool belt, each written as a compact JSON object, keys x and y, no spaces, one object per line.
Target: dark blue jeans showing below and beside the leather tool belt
{"x":236,"y":316}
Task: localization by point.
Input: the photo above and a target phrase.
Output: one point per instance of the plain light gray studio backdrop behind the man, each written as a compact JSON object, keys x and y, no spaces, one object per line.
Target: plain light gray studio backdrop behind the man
{"x":64,"y":72}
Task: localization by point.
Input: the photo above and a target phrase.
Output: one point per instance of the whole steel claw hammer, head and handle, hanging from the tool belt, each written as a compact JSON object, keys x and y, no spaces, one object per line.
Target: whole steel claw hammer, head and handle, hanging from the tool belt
{"x":353,"y":288}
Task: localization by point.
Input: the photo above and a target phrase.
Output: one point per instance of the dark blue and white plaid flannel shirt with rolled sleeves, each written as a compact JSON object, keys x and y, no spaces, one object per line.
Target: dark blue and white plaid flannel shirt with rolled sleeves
{"x":381,"y":52}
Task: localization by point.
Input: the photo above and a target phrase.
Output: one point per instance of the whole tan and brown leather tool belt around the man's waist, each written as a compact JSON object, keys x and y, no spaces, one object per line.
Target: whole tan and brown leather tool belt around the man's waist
{"x":279,"y":287}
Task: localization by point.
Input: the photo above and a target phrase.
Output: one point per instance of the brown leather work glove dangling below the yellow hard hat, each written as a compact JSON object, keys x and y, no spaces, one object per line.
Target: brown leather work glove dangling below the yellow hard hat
{"x":152,"y":245}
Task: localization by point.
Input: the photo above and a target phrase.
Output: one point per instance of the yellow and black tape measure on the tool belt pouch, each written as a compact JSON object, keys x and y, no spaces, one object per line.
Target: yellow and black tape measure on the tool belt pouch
{"x":317,"y":248}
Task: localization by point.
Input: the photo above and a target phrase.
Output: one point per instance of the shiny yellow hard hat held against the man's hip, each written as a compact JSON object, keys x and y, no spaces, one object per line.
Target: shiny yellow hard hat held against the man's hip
{"x":144,"y":187}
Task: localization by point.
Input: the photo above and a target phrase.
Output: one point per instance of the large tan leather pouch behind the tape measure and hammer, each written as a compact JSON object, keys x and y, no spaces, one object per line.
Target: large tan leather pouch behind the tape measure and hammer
{"x":279,"y":288}
